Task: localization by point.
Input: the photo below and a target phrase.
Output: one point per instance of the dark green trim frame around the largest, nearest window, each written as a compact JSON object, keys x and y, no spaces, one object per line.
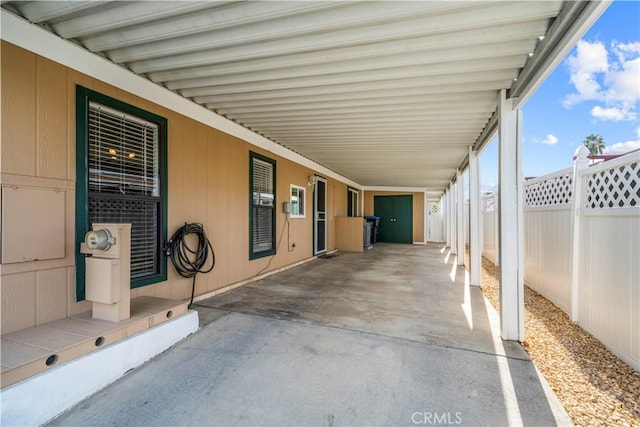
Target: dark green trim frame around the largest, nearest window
{"x":84,"y":97}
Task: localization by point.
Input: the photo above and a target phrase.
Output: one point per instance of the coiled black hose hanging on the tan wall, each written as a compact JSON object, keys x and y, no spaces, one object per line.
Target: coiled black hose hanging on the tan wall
{"x":187,"y":261}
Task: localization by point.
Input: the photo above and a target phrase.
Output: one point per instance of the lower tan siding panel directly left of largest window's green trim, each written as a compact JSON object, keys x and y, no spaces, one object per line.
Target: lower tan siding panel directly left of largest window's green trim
{"x":51,"y":295}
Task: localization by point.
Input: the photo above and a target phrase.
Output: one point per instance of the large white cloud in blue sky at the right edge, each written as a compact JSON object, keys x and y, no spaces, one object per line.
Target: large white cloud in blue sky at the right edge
{"x":613,"y":83}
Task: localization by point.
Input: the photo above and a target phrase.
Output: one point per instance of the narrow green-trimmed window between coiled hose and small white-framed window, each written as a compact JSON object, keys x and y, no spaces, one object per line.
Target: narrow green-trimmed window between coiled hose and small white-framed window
{"x":262,"y":221}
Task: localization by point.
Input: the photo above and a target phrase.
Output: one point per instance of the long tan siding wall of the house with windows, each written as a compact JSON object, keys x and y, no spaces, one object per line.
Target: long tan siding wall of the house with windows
{"x":208,"y":182}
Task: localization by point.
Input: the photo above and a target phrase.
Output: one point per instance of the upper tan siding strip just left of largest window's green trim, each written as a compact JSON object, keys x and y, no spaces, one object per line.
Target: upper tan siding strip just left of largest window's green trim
{"x":52,"y":122}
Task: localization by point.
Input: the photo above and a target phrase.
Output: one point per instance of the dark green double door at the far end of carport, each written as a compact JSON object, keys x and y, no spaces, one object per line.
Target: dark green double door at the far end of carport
{"x":396,"y":218}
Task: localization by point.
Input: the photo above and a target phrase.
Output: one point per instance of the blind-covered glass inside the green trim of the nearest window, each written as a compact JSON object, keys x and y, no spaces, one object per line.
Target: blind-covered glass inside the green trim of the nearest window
{"x":123,"y":180}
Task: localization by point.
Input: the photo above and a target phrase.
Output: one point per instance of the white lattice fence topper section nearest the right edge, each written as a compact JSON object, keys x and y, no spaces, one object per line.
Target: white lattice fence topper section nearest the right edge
{"x":618,"y":187}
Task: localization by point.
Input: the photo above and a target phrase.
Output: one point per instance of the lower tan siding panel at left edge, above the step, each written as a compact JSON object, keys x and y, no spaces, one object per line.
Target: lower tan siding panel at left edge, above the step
{"x":18,"y":301}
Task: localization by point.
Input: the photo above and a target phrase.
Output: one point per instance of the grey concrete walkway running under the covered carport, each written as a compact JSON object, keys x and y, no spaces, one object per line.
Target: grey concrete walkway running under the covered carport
{"x":392,"y":336}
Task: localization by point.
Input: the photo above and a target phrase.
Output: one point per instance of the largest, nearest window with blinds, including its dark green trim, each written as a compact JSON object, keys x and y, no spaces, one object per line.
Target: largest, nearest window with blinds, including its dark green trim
{"x":121,"y":178}
